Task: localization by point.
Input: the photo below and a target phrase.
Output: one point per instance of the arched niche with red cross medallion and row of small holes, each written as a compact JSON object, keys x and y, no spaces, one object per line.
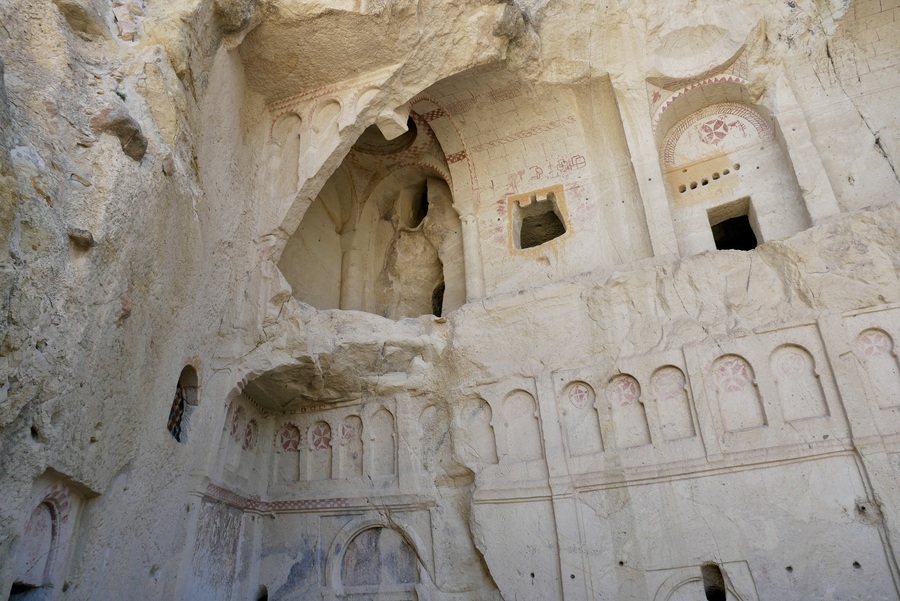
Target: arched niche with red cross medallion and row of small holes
{"x":729,"y":178}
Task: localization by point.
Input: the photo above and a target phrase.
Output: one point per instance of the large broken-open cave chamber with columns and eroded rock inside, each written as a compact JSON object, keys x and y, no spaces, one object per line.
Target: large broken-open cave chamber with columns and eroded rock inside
{"x":382,"y":236}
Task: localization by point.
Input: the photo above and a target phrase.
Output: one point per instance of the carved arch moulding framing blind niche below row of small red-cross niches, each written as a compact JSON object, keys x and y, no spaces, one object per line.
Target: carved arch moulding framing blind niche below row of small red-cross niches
{"x":334,"y":559}
